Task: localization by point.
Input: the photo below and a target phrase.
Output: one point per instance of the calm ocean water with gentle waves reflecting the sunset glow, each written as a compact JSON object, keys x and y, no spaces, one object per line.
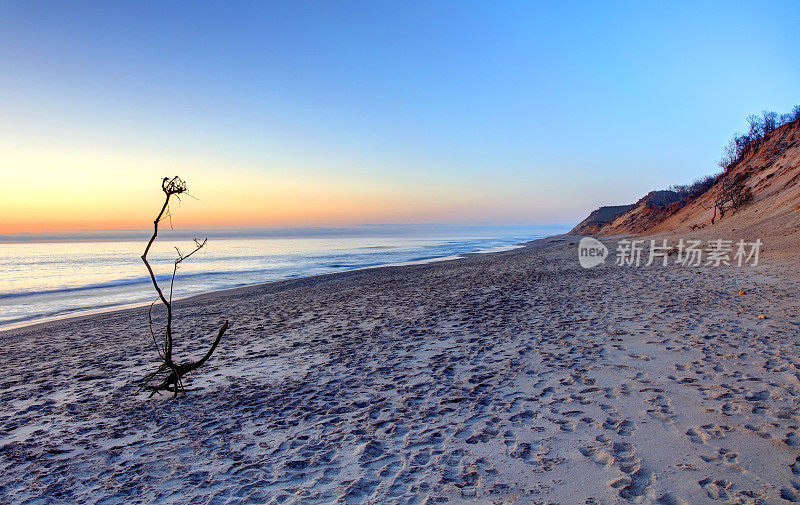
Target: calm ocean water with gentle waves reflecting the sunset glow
{"x":45,"y":280}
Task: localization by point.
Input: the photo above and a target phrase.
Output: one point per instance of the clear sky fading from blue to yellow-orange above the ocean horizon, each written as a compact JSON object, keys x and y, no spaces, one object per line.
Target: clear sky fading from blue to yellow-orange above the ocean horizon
{"x":342,"y":113}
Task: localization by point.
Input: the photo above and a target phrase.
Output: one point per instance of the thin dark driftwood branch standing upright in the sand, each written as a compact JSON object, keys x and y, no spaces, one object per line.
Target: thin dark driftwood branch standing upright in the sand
{"x":169,"y":375}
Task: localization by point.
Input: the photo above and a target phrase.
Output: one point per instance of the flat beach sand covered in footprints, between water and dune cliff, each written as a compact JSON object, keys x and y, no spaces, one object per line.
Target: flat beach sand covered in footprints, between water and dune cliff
{"x":514,"y":377}
